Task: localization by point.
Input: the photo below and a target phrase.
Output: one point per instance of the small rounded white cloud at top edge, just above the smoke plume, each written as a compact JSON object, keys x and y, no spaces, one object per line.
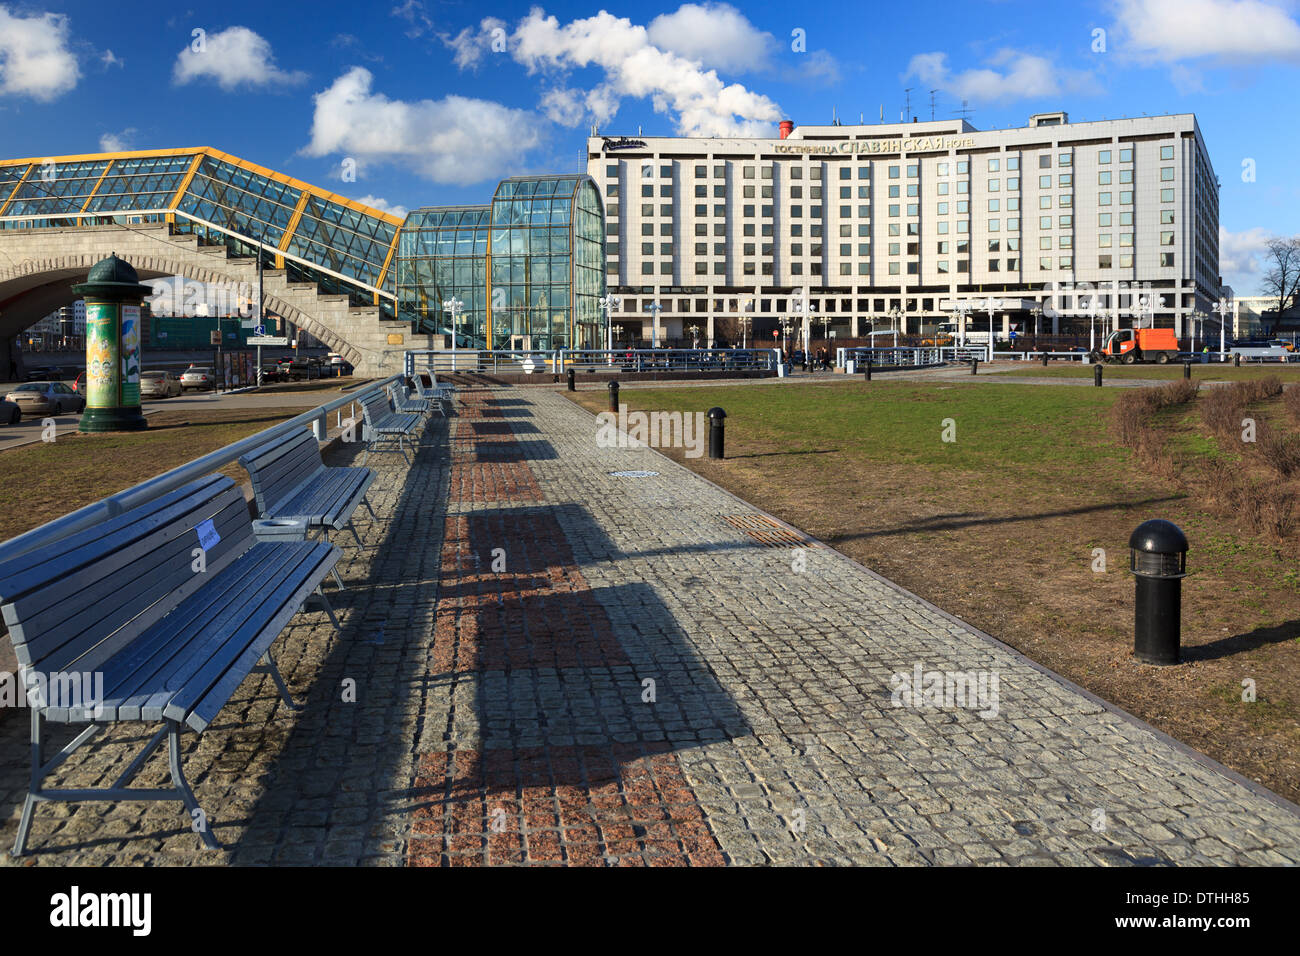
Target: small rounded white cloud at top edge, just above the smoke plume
{"x":713,"y":34}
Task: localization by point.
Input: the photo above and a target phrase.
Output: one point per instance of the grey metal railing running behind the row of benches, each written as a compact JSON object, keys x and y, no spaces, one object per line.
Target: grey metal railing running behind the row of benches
{"x":168,"y":482}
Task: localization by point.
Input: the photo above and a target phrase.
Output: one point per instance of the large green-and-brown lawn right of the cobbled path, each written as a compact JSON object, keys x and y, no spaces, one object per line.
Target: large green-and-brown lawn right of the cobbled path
{"x":1003,"y":529}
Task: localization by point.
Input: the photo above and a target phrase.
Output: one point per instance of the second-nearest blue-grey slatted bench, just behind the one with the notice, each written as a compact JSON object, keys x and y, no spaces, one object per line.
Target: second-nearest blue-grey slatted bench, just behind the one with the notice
{"x":291,"y":481}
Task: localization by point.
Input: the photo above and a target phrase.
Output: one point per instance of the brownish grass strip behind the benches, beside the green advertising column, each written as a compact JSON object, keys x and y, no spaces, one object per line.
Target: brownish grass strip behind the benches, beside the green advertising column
{"x":47,"y":481}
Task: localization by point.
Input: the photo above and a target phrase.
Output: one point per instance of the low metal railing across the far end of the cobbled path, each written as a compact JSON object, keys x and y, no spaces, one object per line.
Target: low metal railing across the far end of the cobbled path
{"x":593,"y":360}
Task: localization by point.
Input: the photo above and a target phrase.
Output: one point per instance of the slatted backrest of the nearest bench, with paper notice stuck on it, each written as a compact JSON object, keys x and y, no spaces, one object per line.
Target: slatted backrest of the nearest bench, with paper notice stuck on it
{"x":73,"y":604}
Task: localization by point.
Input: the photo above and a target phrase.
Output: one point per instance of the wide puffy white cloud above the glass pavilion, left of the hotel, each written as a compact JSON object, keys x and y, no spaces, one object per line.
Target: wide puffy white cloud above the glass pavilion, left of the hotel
{"x":456,"y":140}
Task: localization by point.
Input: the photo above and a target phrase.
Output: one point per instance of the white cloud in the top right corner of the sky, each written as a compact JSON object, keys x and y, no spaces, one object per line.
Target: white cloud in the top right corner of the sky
{"x":1243,"y":31}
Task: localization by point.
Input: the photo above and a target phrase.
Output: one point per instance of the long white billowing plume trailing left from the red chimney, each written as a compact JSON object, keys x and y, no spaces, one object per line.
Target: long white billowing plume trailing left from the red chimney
{"x":631,"y":66}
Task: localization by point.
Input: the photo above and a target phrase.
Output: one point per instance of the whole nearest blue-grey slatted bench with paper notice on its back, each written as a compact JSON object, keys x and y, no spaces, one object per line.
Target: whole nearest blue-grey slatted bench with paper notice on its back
{"x":164,"y":611}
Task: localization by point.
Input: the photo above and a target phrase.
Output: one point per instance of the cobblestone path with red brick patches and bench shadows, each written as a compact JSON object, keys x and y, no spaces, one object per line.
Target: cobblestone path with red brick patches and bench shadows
{"x":547,"y":663}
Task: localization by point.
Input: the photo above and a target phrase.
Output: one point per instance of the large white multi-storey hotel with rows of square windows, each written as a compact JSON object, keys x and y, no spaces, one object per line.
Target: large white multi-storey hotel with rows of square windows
{"x":904,"y":224}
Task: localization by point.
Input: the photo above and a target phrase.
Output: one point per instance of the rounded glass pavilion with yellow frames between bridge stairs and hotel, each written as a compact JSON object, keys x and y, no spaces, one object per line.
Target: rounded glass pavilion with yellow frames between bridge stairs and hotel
{"x":530,"y":267}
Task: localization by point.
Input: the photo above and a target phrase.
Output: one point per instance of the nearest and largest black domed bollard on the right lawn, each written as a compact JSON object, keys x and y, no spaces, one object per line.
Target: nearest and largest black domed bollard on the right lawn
{"x":1159,"y":561}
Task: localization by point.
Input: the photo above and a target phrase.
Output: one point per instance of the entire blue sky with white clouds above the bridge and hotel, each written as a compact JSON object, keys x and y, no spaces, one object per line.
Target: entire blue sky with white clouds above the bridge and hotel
{"x":432,"y":103}
